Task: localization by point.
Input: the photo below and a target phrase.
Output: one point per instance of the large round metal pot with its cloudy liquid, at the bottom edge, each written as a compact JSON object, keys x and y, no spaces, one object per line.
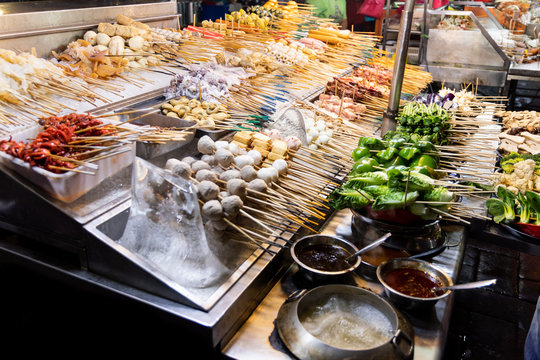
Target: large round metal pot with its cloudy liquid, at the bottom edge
{"x":393,"y":337}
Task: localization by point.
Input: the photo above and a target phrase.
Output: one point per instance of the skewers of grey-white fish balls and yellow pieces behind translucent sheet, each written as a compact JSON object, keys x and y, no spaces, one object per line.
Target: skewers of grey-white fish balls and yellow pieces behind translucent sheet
{"x":249,"y":185}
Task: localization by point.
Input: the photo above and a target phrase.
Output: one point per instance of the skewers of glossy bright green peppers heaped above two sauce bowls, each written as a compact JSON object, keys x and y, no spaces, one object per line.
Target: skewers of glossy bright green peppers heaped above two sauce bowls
{"x":406,"y":173}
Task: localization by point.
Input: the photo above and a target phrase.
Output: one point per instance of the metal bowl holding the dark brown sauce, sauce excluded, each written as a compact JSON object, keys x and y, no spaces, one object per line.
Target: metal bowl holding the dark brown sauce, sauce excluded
{"x":317,"y":274}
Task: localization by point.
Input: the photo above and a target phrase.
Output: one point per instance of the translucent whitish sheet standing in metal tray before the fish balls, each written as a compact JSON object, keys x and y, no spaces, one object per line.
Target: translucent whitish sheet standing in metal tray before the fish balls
{"x":166,"y":229}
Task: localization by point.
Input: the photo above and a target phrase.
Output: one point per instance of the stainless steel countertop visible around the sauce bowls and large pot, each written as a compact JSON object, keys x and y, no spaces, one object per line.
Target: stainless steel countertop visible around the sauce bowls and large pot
{"x":257,"y":338}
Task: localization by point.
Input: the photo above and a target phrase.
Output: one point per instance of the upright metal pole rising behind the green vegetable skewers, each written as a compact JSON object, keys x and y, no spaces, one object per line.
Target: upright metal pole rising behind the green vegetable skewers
{"x":402,"y":47}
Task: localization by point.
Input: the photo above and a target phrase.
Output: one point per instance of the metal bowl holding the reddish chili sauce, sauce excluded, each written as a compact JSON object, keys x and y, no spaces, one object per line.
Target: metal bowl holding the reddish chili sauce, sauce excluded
{"x":407,"y":302}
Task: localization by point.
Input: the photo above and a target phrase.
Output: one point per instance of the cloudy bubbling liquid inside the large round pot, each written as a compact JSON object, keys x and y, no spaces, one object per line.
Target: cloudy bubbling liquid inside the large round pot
{"x":345,"y":323}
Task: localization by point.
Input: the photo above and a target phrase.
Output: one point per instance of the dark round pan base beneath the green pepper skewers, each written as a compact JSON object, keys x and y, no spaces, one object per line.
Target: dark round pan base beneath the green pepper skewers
{"x":417,"y":238}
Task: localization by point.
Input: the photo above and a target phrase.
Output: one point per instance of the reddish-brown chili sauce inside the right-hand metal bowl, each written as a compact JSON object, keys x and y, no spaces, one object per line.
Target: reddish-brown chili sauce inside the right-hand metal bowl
{"x":413,"y":282}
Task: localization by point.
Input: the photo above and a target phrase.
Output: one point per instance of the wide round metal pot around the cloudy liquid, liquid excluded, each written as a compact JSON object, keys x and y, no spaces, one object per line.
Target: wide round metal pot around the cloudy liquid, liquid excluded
{"x":306,"y":346}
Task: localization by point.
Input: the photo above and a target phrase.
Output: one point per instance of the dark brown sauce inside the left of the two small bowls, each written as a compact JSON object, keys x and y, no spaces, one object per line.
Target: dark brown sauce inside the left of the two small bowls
{"x":325,"y":257}
